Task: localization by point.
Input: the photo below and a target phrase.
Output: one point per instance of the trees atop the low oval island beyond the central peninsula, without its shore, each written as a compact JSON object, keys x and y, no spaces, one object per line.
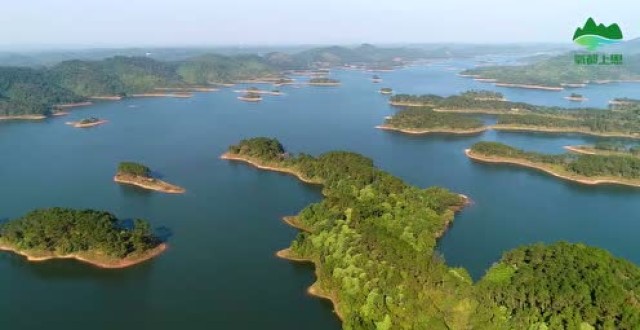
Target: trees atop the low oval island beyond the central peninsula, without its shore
{"x":426,"y":118}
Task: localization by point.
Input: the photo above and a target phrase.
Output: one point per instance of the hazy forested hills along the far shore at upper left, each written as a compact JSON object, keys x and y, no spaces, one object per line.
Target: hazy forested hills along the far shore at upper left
{"x":26,"y":91}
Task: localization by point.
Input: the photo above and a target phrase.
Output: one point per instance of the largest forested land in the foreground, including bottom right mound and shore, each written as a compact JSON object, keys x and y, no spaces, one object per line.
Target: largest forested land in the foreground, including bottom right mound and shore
{"x":372,"y":240}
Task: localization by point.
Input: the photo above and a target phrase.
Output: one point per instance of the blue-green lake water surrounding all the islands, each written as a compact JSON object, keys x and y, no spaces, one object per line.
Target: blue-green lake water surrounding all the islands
{"x":221,"y":271}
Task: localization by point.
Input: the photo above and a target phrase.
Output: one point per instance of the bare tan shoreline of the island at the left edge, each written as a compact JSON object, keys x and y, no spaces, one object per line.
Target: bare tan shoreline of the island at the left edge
{"x":86,"y":258}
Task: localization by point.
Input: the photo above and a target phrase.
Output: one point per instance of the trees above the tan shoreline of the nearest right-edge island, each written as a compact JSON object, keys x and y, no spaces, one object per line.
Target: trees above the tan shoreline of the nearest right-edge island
{"x":616,"y":166}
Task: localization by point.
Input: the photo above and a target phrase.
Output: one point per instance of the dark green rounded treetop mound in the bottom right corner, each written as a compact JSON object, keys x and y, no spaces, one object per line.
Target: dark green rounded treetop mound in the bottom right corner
{"x":564,"y":286}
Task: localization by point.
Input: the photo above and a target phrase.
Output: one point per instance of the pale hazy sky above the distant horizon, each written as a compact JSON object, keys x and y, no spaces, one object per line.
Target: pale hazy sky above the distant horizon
{"x":269,"y":22}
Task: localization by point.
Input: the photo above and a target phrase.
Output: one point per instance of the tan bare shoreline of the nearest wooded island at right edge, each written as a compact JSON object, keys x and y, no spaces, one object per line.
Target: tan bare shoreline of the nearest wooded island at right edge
{"x":546,"y":169}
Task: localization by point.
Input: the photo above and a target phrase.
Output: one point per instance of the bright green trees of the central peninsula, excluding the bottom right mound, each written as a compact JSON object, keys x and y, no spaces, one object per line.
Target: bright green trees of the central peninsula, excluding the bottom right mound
{"x":373,"y":238}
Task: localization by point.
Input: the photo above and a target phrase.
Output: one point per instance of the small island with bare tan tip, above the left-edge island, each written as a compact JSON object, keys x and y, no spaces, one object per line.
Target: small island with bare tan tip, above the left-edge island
{"x":139,"y":175}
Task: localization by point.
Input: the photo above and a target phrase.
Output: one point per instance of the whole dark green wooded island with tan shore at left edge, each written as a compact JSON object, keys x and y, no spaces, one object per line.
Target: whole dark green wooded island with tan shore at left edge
{"x":90,"y":236}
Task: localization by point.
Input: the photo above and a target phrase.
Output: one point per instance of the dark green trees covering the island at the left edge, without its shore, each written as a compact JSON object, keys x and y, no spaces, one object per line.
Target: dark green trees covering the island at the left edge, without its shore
{"x":67,"y":231}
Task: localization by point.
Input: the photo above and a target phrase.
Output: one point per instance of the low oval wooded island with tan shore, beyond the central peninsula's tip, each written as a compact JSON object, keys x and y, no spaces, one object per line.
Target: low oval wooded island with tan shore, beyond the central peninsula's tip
{"x":423,"y":120}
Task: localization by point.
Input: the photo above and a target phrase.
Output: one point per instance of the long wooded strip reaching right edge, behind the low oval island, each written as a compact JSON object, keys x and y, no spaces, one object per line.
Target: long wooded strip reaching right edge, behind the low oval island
{"x":620,"y":121}
